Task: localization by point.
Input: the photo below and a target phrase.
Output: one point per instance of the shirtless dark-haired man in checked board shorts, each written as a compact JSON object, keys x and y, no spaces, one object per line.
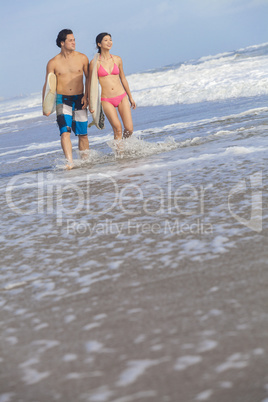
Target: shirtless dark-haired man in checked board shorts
{"x":70,"y":67}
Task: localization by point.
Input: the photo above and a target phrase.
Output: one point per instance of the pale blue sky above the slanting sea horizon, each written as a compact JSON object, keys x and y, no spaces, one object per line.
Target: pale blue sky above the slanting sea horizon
{"x":146,"y":34}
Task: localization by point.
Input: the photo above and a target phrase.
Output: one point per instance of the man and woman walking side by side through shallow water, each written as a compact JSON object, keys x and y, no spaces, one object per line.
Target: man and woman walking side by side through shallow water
{"x":72,"y":100}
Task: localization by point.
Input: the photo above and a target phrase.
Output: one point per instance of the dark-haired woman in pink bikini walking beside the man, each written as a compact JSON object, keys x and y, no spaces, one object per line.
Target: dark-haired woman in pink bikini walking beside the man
{"x":115,"y":92}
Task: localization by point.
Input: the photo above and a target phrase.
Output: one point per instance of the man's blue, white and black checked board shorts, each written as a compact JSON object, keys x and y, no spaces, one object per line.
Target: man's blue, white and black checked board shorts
{"x":70,"y":115}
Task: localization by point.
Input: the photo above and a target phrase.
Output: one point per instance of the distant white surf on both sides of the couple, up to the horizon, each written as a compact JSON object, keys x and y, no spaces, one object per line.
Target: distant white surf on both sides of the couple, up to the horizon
{"x":242,"y":73}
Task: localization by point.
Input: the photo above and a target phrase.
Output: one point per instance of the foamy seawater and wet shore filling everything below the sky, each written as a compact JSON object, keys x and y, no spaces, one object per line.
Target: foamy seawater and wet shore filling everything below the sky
{"x":140,"y":276}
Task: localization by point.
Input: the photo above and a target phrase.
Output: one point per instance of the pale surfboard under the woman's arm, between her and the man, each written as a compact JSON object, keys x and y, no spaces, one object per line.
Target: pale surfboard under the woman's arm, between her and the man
{"x":94,"y":96}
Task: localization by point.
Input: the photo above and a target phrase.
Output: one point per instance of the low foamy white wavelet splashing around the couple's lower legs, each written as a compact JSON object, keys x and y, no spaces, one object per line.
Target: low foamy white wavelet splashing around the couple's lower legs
{"x":136,"y":146}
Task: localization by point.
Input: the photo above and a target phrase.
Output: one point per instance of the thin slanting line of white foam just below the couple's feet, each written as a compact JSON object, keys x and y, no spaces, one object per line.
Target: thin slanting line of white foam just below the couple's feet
{"x":109,"y":173}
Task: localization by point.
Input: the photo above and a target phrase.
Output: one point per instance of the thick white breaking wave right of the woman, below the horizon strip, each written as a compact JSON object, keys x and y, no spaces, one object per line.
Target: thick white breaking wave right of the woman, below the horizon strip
{"x":212,"y":80}
